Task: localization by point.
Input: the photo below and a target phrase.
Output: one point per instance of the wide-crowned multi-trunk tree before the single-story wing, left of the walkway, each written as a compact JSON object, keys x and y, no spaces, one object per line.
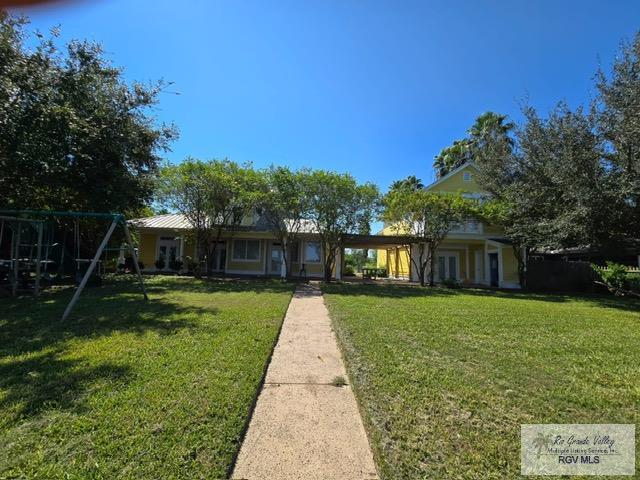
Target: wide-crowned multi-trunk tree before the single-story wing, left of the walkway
{"x":214,"y":196}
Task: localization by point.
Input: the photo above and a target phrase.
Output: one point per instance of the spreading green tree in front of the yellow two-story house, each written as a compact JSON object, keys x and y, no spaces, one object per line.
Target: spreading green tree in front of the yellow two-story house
{"x":428,"y":217}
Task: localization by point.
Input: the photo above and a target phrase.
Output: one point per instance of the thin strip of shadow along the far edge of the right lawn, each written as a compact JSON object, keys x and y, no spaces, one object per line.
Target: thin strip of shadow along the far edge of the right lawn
{"x":411,"y":290}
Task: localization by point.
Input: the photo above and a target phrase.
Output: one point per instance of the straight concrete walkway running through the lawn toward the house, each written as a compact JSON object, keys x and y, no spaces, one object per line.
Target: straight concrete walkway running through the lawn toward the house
{"x":303,"y":427}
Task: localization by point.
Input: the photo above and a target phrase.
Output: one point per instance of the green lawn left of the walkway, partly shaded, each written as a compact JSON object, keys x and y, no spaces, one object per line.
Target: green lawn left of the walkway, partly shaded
{"x":130,"y":389}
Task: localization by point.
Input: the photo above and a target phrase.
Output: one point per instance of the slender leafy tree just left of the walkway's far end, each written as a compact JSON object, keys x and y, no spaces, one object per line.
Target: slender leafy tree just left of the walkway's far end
{"x":284,"y":206}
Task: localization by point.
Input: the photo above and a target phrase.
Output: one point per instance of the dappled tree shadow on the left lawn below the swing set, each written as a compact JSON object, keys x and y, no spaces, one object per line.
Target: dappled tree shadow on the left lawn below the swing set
{"x":36,"y":374}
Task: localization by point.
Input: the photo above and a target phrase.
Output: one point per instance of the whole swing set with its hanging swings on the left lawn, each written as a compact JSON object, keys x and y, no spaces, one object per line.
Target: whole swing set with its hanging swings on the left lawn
{"x":32,"y":249}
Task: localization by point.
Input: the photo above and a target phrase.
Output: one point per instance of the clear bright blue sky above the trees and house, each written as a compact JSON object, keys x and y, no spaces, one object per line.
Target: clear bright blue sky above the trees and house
{"x":370,"y":87}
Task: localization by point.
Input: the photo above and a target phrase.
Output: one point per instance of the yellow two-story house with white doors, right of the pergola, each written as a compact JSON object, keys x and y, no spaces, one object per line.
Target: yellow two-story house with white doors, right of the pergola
{"x":473,"y":253}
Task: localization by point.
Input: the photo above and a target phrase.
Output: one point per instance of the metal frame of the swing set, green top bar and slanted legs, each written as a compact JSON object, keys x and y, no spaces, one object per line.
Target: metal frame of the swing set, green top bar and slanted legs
{"x":20,"y":216}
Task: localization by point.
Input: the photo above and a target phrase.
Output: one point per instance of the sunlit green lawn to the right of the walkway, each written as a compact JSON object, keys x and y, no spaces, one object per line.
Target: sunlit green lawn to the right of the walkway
{"x":445,"y":378}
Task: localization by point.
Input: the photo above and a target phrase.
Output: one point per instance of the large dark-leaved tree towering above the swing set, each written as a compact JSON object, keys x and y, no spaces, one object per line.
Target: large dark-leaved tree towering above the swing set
{"x":73,"y":134}
